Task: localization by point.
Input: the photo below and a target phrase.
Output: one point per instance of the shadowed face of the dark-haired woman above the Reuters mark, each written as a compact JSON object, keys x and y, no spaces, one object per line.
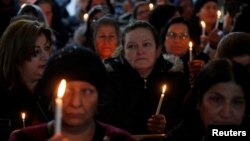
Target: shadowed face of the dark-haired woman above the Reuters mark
{"x":223,"y":104}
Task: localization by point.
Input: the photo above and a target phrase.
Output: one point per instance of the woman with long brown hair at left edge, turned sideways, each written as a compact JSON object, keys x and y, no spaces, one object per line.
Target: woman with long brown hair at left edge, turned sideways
{"x":25,"y":48}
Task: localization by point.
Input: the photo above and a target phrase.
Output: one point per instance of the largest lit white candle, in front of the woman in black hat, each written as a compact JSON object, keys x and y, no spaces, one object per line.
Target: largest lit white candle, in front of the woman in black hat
{"x":59,"y":103}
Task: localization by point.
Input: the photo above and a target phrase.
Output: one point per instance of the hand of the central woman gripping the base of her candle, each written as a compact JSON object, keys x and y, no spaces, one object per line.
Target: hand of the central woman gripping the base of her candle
{"x":157,"y":123}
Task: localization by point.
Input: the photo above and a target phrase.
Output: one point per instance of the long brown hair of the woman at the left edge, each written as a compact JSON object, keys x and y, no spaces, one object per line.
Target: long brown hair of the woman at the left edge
{"x":17,"y":46}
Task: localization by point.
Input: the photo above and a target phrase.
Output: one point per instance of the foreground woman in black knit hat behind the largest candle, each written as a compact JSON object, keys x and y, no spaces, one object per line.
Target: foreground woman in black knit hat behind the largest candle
{"x":85,"y":76}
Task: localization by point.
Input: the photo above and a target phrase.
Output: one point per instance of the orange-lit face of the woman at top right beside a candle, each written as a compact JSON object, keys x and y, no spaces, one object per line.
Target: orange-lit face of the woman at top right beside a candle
{"x":208,"y":13}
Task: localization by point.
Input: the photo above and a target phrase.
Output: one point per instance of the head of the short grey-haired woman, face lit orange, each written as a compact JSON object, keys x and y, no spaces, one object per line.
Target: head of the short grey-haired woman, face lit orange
{"x":106,"y":37}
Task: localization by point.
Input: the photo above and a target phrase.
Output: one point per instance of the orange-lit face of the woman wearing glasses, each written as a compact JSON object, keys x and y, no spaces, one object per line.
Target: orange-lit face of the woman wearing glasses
{"x":177,"y":38}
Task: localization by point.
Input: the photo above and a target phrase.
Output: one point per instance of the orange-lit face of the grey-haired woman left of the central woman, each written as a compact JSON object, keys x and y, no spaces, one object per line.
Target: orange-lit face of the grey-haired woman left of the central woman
{"x":106,"y":41}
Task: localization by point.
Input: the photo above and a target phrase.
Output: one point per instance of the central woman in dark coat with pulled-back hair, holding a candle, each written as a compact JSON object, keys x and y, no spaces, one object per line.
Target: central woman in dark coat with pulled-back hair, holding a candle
{"x":136,"y":77}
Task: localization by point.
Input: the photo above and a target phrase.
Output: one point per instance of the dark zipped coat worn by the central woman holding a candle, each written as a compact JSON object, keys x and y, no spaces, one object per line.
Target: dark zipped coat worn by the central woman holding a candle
{"x":131,"y":100}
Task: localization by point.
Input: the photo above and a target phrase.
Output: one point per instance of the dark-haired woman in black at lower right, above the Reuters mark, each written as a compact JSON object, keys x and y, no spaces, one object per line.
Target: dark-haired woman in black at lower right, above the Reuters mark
{"x":219,"y":96}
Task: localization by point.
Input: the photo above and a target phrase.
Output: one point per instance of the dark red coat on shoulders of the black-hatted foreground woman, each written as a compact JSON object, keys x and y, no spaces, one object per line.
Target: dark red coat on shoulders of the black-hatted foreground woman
{"x":43,"y":132}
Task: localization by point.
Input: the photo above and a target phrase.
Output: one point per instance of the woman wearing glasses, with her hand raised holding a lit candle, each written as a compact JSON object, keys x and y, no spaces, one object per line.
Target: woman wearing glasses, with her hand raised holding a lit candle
{"x":176,"y":38}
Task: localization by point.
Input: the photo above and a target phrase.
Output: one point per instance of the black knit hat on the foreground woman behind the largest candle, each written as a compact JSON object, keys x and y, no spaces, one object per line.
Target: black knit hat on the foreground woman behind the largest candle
{"x":72,"y":63}
